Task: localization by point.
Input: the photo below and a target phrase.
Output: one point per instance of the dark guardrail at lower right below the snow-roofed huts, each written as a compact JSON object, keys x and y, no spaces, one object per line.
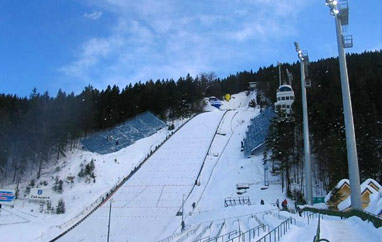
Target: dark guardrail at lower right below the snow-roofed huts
{"x":377,"y":222}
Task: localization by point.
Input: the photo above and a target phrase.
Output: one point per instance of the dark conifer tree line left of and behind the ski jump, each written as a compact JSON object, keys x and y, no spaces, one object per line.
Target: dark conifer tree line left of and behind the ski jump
{"x":36,"y":131}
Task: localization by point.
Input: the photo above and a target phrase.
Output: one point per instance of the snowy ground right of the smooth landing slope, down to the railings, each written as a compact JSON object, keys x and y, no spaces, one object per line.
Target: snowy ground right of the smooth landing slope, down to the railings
{"x":226,"y":167}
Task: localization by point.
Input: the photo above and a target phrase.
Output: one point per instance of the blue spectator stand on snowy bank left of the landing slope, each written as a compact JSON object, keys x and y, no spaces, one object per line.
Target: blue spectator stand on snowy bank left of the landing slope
{"x":123,"y":135}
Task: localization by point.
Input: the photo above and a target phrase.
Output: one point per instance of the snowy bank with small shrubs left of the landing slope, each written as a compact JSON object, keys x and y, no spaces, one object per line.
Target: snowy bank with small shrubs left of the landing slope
{"x":109,"y":169}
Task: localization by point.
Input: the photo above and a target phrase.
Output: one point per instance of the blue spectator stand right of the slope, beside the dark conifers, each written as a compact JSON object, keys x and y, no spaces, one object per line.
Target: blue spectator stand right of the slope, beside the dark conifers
{"x":258,"y":131}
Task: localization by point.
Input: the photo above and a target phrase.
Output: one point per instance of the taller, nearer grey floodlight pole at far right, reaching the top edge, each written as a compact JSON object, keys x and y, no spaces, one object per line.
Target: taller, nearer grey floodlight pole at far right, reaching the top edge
{"x":341,"y":16}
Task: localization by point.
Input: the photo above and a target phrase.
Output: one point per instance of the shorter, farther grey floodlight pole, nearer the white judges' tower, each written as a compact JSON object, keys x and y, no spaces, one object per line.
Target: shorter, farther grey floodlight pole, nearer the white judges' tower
{"x":304,"y":60}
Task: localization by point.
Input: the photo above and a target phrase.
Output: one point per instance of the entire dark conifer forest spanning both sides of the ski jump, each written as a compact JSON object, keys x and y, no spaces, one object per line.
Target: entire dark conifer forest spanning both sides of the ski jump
{"x":36,"y":131}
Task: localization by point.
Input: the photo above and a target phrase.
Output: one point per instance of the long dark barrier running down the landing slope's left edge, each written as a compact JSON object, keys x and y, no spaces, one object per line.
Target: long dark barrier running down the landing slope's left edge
{"x":79,"y":218}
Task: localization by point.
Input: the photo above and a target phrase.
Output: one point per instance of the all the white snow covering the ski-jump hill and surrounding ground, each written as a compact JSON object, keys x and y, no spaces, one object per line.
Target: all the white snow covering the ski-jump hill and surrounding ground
{"x":201,"y":164}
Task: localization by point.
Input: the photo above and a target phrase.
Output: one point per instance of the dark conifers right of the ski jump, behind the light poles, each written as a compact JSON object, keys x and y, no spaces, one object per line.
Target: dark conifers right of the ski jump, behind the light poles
{"x":326,"y":122}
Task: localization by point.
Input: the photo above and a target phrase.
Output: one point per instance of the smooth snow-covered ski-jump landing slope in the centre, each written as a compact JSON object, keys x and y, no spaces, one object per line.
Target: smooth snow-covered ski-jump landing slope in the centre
{"x":150,"y":199}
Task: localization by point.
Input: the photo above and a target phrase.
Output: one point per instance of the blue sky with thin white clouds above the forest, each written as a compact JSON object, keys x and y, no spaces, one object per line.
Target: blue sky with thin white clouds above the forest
{"x":68,"y":44}
